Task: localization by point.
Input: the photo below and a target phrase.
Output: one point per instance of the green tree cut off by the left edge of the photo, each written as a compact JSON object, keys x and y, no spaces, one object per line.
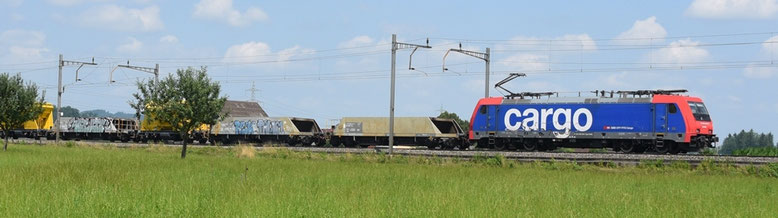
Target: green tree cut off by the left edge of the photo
{"x":18,"y":103}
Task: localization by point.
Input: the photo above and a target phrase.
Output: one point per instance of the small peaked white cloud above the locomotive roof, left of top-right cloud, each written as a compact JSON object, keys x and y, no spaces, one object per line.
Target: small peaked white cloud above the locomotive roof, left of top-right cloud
{"x":643,"y":32}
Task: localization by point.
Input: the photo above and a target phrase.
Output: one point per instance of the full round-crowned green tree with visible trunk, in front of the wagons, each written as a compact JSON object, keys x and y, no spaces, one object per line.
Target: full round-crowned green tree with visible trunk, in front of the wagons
{"x":185,"y":101}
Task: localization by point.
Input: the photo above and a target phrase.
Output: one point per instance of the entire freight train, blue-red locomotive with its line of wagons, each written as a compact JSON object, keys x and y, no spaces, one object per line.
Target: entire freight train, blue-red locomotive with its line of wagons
{"x":661,"y":121}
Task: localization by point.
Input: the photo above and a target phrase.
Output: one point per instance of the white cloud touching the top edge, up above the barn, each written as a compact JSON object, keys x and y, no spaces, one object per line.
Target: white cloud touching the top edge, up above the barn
{"x":224,"y":11}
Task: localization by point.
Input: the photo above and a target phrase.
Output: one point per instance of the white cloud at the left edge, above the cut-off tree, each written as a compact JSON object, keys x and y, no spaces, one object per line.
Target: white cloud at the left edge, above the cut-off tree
{"x":23,"y":44}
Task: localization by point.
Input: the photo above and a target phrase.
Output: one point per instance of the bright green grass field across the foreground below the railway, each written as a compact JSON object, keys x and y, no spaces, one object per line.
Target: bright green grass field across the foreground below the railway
{"x":58,"y":181}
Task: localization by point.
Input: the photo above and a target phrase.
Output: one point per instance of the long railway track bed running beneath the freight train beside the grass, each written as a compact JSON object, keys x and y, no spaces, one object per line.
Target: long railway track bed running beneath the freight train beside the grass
{"x":578,"y":157}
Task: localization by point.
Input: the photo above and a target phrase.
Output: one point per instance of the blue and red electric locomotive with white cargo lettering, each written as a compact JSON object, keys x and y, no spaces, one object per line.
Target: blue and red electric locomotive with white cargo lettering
{"x":631,"y":121}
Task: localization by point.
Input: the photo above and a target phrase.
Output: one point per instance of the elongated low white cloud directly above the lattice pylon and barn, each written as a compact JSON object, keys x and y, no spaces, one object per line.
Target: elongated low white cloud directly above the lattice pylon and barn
{"x":260,"y":52}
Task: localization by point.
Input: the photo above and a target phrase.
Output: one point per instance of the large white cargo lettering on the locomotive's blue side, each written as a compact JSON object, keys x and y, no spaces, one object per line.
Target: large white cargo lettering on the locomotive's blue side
{"x":534,"y":119}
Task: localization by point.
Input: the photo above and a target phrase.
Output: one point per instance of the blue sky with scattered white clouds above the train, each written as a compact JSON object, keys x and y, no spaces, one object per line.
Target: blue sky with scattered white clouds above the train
{"x":329,"y":59}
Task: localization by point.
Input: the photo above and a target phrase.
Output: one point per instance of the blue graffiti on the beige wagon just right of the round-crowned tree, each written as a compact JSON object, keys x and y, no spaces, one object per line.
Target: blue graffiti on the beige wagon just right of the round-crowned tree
{"x":253,"y":126}
